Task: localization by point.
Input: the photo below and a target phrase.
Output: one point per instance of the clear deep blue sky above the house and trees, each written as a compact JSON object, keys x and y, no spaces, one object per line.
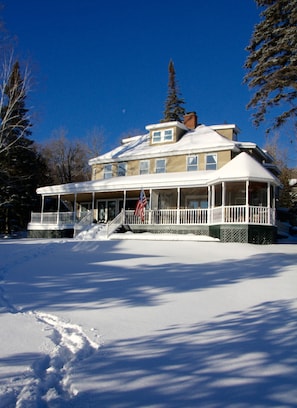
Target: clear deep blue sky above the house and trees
{"x":104,"y":64}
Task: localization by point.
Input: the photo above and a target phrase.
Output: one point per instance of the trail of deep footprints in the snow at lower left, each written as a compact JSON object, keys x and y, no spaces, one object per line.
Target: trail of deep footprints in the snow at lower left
{"x":50,"y":377}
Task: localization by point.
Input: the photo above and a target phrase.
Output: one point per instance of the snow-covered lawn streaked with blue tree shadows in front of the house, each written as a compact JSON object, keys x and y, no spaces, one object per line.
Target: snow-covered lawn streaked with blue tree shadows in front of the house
{"x":147,"y":323}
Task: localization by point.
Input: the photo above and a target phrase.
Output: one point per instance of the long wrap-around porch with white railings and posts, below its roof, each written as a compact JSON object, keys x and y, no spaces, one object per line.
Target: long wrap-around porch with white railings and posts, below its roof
{"x":239,"y":202}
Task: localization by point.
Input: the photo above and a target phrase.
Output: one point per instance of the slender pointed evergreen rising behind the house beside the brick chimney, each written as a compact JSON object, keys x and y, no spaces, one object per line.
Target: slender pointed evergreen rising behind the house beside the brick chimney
{"x":174,"y":110}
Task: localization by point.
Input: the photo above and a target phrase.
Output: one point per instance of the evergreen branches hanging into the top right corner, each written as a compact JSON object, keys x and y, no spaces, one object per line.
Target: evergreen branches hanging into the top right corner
{"x":272,"y":62}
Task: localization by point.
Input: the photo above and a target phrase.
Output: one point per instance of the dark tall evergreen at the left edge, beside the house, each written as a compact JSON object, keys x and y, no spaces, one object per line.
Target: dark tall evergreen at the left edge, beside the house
{"x":21,"y":167}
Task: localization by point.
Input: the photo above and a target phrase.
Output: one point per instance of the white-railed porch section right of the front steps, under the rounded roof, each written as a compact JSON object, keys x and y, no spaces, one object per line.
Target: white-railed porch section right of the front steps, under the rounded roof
{"x":224,"y":203}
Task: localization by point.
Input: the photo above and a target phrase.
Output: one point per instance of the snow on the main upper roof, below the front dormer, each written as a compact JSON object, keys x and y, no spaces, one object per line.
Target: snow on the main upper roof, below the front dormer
{"x":201,"y":139}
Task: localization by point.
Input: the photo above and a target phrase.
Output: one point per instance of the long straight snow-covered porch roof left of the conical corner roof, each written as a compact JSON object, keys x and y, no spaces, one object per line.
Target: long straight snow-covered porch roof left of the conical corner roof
{"x":129,"y":183}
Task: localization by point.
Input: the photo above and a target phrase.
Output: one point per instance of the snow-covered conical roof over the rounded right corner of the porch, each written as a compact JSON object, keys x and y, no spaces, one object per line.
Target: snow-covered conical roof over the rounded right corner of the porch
{"x":244,"y":167}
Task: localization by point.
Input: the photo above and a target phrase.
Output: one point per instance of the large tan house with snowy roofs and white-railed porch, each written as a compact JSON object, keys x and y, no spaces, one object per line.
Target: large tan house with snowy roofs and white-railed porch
{"x":197,"y":179}
